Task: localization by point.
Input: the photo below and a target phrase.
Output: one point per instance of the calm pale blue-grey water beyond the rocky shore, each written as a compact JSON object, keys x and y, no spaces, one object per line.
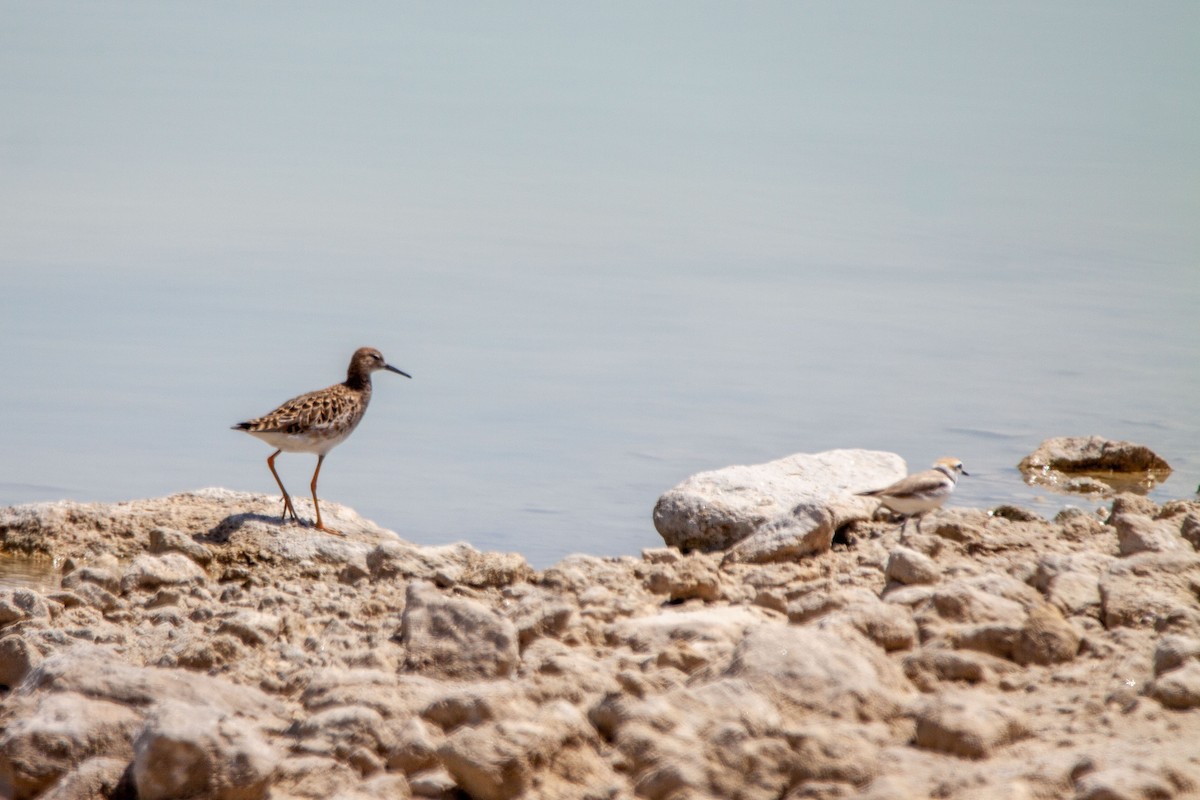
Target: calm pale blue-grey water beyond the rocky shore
{"x":614,"y":245}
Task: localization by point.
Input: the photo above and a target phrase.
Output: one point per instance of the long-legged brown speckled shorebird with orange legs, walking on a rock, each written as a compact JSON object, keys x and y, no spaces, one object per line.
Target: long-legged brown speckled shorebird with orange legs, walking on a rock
{"x":320,"y":422}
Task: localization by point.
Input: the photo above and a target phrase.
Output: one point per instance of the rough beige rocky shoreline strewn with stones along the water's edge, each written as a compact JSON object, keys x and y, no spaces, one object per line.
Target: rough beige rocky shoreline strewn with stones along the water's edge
{"x":200,"y":648}
